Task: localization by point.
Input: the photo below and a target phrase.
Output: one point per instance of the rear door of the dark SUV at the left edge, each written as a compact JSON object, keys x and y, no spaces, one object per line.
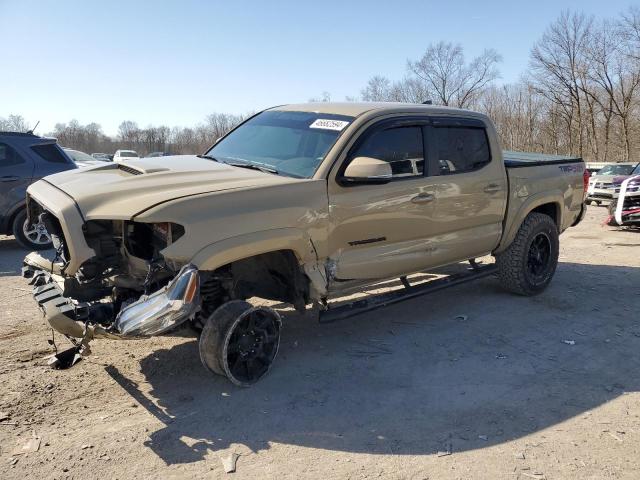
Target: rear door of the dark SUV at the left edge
{"x":16,"y":172}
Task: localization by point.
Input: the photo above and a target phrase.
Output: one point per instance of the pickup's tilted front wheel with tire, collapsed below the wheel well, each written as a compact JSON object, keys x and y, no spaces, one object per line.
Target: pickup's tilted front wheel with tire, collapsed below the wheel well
{"x":240,"y":341}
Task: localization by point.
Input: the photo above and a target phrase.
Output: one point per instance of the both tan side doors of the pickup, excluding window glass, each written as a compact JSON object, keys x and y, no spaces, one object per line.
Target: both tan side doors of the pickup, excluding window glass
{"x":463,"y":221}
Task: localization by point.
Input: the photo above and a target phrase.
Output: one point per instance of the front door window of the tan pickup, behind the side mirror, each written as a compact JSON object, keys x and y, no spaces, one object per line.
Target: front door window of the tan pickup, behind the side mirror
{"x":402,"y":147}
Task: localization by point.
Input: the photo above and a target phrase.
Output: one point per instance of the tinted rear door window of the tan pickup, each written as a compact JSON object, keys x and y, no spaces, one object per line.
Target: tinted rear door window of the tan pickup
{"x":461,"y":149}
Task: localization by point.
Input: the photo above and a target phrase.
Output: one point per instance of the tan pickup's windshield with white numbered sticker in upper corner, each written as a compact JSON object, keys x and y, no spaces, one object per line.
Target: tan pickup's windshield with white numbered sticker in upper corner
{"x":292,"y":143}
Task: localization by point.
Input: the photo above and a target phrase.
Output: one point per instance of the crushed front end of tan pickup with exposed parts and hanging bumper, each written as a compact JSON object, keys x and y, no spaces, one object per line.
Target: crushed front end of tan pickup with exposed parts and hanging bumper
{"x":124,"y":288}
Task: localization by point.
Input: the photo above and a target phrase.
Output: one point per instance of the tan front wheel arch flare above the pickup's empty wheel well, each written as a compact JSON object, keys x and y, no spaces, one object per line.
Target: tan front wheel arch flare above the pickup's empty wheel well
{"x":231,"y":249}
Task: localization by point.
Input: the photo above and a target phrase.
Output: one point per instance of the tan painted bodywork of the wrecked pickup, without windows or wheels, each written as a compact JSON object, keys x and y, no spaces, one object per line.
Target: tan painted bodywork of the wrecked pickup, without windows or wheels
{"x":363,"y":233}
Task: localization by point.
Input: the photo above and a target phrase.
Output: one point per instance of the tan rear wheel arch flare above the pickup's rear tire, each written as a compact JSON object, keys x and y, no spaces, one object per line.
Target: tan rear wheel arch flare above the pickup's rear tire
{"x":517,"y":212}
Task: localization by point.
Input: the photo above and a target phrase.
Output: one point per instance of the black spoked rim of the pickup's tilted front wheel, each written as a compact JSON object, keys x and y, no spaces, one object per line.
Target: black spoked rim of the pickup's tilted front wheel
{"x":252,"y":345}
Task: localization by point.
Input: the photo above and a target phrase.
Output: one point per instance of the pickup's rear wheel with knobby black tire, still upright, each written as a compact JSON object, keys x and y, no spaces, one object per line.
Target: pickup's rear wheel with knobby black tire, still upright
{"x":528,"y":265}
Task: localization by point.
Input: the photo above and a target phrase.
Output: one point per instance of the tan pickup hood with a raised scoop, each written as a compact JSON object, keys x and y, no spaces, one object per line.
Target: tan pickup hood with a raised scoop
{"x":119,"y":191}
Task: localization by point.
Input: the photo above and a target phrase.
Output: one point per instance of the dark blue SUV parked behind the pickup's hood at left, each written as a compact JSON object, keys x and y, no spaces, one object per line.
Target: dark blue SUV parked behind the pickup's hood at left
{"x":25,"y":158}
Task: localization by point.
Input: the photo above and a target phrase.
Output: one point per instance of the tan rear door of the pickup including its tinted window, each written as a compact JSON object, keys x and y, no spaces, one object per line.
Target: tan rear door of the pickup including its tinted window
{"x":472,"y":189}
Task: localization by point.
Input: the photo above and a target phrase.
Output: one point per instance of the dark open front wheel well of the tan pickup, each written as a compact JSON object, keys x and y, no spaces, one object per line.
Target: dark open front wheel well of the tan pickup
{"x":274,"y":275}
